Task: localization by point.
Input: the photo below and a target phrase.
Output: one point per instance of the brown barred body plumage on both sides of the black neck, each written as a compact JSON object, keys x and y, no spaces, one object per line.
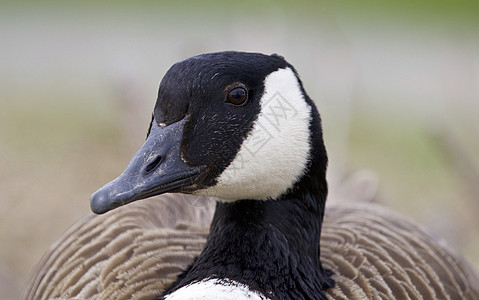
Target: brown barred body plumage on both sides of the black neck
{"x":138,"y":250}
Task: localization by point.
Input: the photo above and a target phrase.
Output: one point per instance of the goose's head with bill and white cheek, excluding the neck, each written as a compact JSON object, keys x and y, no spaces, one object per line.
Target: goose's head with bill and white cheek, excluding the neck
{"x":230,"y":125}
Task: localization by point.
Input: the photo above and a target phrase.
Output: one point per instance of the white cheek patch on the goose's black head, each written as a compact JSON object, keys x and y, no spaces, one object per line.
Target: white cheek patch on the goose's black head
{"x":275,"y":154}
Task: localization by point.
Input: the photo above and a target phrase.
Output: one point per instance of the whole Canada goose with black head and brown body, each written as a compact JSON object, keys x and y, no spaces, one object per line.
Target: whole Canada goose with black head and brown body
{"x":215,"y":132}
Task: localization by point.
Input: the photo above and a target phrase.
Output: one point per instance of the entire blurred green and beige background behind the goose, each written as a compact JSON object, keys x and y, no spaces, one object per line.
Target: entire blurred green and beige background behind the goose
{"x":396,"y":82}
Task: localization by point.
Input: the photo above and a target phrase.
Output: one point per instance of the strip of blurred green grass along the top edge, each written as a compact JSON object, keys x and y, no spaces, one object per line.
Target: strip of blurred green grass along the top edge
{"x":425,"y":8}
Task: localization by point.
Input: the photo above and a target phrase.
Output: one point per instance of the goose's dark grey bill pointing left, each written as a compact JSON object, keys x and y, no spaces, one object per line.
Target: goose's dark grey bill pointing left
{"x":155,"y":169}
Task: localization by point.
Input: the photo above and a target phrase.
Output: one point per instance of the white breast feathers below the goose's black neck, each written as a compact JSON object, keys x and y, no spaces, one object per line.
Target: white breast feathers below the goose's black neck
{"x":215,"y":289}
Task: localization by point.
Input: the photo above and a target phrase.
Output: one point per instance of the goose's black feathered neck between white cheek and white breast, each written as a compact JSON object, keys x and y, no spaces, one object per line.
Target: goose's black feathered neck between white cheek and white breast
{"x":272,"y":246}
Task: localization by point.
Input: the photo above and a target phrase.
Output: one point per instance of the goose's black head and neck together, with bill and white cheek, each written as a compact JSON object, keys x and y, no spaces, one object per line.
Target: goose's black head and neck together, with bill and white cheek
{"x":238,"y":127}
